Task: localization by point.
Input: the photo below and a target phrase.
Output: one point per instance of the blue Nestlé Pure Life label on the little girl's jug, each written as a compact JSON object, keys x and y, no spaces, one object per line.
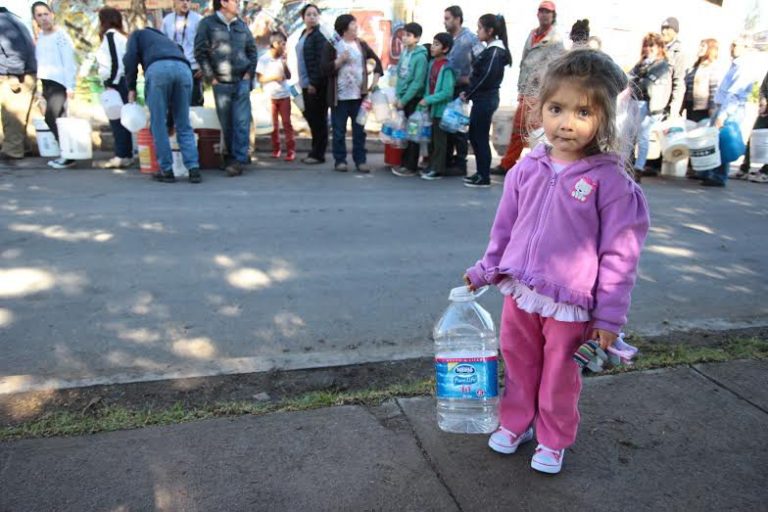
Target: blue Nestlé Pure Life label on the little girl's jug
{"x":467,"y":377}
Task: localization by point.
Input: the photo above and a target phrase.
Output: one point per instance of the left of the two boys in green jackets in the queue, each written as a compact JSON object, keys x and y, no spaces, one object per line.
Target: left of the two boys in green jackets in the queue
{"x":411,"y":71}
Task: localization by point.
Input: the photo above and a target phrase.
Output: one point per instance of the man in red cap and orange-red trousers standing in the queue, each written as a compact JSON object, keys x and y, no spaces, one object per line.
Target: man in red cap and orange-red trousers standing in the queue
{"x":543,"y":45}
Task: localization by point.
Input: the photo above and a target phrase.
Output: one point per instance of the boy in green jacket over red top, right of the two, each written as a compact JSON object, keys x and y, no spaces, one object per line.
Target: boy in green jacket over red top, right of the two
{"x":438,"y":93}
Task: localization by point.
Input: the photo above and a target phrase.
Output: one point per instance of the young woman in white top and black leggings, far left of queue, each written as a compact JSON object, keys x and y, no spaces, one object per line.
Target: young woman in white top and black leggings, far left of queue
{"x":57,"y":70}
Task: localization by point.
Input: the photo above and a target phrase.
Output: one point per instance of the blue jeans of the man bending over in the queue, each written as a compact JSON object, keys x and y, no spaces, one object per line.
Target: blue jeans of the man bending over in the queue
{"x":169,"y":86}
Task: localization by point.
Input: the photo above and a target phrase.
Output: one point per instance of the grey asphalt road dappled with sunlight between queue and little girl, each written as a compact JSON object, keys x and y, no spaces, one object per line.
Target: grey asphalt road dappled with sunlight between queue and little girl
{"x":108,"y":277}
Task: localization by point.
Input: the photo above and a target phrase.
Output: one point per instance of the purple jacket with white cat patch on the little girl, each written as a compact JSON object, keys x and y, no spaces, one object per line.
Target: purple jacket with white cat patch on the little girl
{"x":575,"y":236}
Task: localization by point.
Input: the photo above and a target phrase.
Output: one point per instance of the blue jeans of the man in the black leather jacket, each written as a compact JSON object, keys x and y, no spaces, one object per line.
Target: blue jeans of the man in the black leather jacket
{"x":233,"y":106}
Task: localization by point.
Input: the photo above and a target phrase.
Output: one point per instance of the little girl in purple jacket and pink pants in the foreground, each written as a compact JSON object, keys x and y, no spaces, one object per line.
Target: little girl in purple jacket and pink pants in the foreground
{"x":564,"y":249}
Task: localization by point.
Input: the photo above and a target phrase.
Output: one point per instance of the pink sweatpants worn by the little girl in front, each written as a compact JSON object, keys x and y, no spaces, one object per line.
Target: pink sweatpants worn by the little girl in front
{"x":542,"y":382}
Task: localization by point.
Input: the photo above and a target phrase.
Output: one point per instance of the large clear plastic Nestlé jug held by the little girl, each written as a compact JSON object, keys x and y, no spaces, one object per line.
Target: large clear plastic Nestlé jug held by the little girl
{"x":466,"y":366}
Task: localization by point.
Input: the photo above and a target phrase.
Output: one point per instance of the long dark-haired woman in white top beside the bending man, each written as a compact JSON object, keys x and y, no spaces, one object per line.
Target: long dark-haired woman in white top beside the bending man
{"x":112,"y":72}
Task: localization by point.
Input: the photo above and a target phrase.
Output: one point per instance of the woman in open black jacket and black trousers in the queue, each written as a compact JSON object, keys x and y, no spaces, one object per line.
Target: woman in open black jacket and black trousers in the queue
{"x":309,"y":51}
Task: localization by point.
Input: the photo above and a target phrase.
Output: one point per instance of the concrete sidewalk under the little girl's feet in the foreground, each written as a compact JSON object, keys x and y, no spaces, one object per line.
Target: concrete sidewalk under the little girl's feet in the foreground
{"x":679,"y":439}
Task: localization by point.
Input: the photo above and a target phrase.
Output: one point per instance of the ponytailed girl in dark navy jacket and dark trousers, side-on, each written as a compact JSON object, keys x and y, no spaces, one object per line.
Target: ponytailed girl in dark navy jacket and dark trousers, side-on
{"x":487,"y":74}
